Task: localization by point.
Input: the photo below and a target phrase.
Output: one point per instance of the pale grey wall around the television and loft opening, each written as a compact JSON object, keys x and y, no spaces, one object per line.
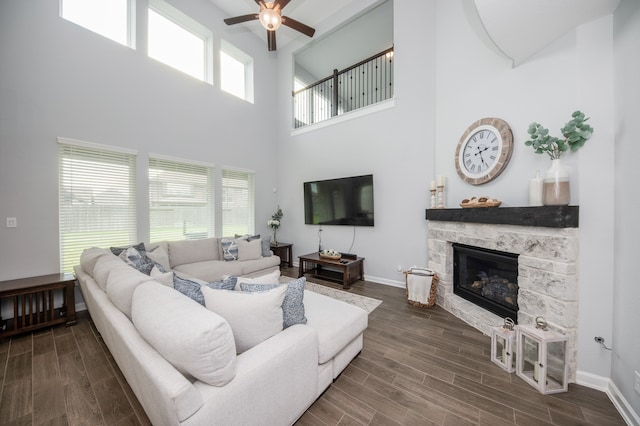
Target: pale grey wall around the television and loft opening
{"x":395,"y":144}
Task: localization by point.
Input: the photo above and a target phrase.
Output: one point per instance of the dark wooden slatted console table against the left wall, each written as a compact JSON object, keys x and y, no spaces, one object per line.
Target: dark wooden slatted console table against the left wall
{"x":33,"y":303}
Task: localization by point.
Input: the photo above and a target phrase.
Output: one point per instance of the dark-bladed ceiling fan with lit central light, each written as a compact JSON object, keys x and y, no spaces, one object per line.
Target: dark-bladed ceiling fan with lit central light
{"x":271,"y":18}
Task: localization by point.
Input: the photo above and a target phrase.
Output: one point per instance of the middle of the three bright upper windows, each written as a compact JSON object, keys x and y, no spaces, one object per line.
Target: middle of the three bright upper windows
{"x":178,"y":41}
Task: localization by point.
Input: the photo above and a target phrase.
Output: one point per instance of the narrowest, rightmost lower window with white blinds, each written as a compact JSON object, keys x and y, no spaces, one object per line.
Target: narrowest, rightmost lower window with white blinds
{"x":238,"y":208}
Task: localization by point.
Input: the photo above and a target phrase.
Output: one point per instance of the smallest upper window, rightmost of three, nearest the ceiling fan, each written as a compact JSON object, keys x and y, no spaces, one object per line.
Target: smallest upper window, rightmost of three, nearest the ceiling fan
{"x":236,"y":71}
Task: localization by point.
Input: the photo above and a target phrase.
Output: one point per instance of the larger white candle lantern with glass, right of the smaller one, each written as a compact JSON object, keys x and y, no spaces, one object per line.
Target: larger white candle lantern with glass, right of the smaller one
{"x":542,"y":357}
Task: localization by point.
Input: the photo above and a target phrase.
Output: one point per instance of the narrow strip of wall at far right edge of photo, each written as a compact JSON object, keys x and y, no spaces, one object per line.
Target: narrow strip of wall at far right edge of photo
{"x":626,"y":316}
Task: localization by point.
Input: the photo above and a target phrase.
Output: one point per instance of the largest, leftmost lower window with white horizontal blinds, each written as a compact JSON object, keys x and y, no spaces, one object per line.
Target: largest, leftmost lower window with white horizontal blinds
{"x":97,"y":199}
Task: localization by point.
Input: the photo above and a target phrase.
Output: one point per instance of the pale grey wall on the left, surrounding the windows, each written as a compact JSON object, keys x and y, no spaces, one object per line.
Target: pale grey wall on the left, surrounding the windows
{"x":58,"y":79}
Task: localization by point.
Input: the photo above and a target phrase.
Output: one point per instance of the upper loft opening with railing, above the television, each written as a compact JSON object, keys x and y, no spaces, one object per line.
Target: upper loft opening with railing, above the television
{"x":350,"y":68}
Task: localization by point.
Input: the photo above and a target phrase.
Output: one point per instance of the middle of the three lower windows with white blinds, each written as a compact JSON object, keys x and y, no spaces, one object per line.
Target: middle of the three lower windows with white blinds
{"x":180,"y":200}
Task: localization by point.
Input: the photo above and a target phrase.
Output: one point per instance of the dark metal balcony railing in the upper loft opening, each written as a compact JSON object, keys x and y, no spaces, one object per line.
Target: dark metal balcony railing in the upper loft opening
{"x":365,"y":83}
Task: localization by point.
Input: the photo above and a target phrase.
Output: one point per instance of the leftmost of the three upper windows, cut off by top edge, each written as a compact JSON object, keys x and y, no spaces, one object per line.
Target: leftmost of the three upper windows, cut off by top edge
{"x":109,"y":18}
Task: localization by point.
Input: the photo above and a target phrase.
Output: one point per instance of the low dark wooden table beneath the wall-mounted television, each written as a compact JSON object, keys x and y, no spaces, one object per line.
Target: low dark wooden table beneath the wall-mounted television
{"x":345,"y":271}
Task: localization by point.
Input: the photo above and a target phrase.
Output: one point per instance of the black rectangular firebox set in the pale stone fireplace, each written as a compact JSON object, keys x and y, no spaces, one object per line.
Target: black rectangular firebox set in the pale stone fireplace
{"x":487,"y":278}
